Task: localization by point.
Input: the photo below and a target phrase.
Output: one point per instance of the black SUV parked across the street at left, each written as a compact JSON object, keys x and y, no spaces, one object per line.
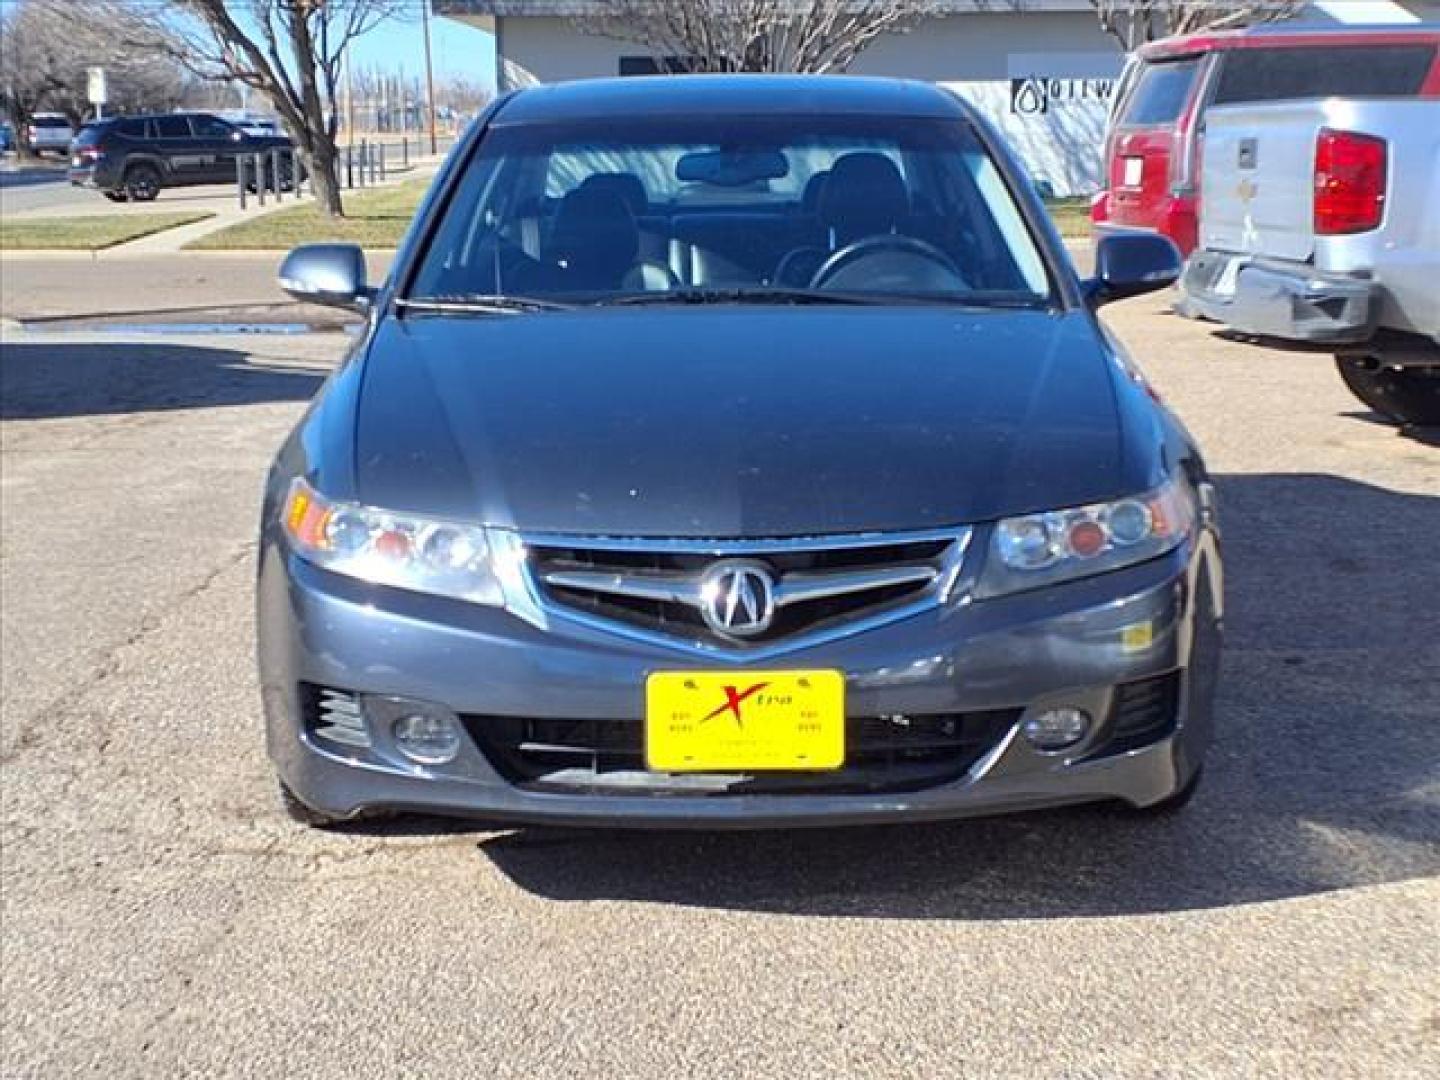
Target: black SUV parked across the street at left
{"x":133,"y":158}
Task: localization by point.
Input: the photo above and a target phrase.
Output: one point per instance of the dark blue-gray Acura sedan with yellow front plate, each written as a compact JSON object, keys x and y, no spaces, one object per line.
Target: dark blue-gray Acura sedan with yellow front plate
{"x":737,"y":451}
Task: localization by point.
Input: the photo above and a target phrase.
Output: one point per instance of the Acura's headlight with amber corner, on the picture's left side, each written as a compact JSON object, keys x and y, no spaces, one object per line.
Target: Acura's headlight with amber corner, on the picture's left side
{"x":444,"y":558}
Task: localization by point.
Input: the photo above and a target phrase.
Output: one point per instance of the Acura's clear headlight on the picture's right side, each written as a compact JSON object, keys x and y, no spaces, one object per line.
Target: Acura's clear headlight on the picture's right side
{"x":1058,"y":546}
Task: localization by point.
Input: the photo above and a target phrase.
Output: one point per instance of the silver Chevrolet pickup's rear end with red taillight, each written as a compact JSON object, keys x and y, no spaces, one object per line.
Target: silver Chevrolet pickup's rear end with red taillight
{"x":1321,"y":224}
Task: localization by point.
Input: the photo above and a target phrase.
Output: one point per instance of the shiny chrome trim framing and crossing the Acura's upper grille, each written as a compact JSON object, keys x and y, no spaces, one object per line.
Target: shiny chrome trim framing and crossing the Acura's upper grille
{"x":934,"y":580}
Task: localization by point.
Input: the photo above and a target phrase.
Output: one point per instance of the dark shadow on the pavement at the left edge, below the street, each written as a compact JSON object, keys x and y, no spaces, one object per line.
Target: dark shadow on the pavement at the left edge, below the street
{"x":57,"y":378}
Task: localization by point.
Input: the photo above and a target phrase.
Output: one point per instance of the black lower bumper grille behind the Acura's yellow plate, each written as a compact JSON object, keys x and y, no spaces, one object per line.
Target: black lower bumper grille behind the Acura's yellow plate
{"x":891,"y":754}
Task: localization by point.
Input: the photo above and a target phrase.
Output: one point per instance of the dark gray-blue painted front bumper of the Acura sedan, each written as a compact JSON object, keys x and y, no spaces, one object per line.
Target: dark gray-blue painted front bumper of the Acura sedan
{"x":1061,"y":646}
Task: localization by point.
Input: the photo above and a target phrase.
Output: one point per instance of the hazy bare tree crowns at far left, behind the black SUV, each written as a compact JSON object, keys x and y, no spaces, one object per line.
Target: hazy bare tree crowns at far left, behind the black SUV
{"x":47,"y":51}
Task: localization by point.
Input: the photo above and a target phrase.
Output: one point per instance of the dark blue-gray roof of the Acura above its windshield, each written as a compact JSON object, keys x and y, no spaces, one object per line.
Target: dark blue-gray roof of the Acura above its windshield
{"x":702,"y":96}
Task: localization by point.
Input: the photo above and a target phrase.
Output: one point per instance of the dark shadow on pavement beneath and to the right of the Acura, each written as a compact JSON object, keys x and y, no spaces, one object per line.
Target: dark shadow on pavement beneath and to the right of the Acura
{"x":1326,"y":774}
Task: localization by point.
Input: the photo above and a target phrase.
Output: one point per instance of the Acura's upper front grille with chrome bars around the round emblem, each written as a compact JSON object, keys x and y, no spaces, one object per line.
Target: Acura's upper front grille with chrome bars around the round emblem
{"x":822,"y":585}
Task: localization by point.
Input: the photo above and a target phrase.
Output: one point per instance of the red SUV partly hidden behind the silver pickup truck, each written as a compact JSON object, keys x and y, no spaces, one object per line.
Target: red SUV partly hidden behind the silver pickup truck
{"x":1158,"y":120}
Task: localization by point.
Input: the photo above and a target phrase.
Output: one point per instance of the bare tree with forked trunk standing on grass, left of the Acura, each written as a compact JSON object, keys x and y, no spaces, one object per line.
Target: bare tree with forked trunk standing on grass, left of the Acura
{"x":290,"y":51}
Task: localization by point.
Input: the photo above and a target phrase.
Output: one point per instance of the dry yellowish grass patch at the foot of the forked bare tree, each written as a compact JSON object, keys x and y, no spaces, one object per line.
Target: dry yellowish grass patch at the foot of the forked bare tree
{"x":374,"y":220}
